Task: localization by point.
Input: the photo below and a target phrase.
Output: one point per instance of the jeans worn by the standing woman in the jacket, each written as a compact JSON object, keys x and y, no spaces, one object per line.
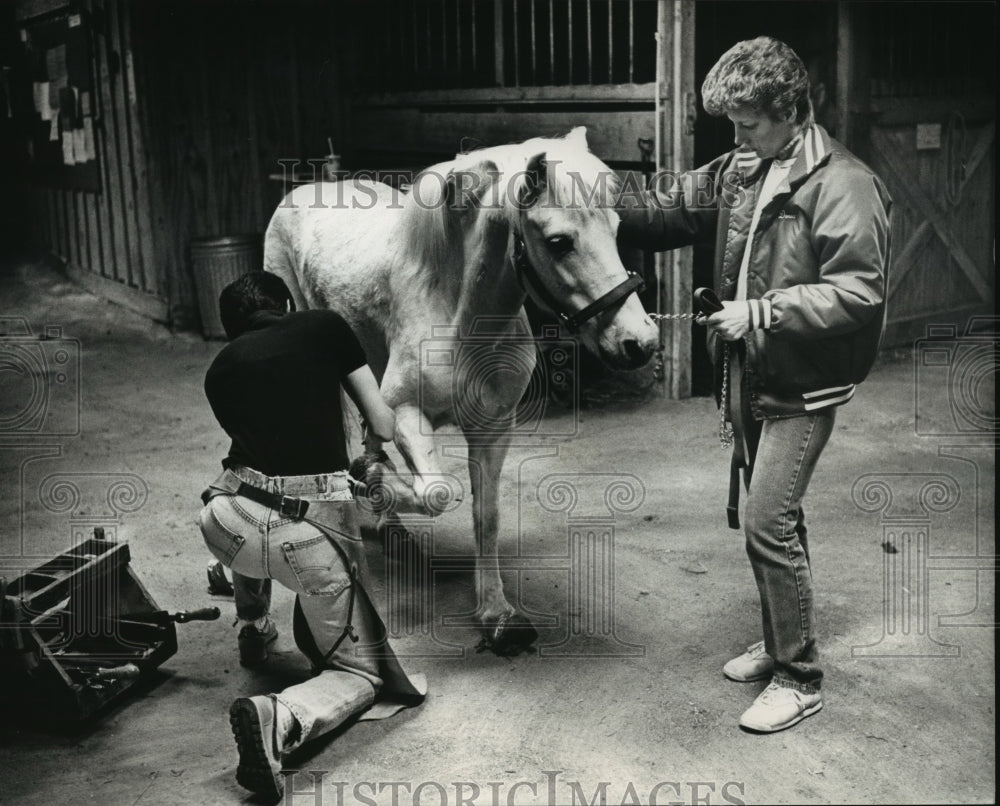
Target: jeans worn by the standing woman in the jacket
{"x":777,"y":544}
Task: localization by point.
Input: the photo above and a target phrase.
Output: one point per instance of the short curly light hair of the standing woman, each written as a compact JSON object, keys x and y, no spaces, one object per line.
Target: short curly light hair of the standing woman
{"x":761,"y":74}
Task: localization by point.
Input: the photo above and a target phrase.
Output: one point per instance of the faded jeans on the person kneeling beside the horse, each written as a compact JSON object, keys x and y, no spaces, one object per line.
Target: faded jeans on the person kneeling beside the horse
{"x":258,"y":544}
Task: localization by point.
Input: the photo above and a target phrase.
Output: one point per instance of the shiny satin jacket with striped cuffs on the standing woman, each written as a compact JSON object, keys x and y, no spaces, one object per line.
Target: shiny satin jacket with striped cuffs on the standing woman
{"x":816,"y":280}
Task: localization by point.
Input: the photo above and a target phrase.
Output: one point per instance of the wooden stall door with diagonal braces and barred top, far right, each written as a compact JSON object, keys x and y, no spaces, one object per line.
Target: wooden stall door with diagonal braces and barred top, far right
{"x":918,"y":104}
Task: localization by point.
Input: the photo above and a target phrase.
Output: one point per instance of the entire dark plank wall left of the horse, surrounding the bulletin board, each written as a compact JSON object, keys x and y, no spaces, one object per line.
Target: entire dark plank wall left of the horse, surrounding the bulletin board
{"x":196,"y":103}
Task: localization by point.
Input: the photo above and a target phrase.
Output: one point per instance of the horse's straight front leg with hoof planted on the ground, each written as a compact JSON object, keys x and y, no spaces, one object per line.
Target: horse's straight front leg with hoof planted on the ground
{"x":506,"y":632}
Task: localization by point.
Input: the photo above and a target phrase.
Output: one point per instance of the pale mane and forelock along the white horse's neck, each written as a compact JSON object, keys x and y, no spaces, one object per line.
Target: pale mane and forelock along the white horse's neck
{"x":432,"y":229}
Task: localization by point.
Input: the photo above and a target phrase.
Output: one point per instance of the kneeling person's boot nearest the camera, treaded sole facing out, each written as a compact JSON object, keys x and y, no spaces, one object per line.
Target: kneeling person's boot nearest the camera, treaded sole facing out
{"x":261,"y":734}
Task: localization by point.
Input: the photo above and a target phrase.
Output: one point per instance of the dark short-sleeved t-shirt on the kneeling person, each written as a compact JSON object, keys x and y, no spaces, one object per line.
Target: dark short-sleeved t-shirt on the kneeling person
{"x":275,"y":390}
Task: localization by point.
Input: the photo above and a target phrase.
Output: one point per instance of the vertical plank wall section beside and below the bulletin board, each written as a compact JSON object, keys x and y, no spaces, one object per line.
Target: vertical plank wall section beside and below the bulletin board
{"x":106,"y":237}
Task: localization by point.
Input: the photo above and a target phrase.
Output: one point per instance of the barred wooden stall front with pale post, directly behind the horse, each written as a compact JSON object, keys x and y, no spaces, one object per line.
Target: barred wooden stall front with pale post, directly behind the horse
{"x":430,"y":78}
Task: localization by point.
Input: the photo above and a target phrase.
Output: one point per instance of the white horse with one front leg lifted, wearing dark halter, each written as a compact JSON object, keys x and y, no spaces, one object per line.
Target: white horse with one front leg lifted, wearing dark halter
{"x":458,"y":250}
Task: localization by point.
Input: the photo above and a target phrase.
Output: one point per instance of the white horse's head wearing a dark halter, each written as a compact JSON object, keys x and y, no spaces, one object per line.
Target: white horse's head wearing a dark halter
{"x":570,"y":260}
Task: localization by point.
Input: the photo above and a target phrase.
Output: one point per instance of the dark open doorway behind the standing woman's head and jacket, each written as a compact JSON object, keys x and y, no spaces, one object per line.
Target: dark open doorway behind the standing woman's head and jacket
{"x":811,"y":30}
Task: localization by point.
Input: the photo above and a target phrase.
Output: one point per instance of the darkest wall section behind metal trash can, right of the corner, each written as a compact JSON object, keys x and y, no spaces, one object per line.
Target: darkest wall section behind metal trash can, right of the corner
{"x":228,"y":90}
